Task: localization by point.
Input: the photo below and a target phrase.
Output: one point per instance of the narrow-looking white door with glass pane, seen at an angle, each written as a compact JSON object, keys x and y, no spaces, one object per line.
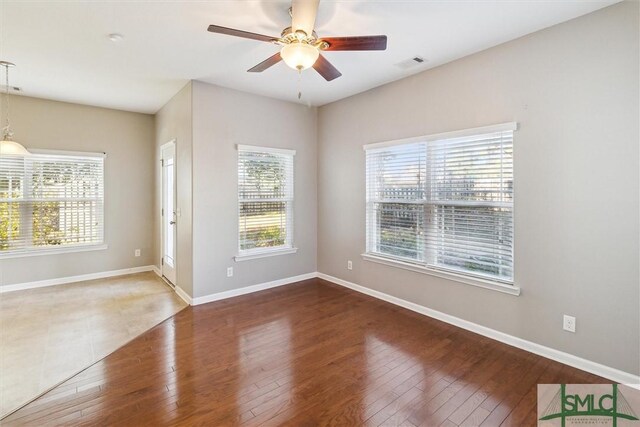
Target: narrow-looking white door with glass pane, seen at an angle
{"x":169,"y":217}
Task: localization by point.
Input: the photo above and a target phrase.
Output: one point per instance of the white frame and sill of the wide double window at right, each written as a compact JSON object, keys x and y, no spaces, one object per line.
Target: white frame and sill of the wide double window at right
{"x":422,"y":266}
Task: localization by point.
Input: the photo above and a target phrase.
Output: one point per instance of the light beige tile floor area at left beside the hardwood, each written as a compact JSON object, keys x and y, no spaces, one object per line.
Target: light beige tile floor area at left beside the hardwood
{"x":49,"y":334}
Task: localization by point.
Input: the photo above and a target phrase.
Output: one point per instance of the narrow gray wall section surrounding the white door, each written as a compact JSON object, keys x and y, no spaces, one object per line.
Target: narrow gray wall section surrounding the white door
{"x":174,"y":121}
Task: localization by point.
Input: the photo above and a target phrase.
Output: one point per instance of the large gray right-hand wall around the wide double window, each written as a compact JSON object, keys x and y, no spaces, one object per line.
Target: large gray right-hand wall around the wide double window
{"x":573,"y":89}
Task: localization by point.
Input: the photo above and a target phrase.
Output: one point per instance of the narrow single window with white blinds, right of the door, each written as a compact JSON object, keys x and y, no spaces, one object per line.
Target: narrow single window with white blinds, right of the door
{"x":265,"y":200}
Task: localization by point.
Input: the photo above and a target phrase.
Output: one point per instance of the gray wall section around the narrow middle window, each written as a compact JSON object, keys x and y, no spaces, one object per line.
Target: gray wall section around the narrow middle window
{"x":223,"y":118}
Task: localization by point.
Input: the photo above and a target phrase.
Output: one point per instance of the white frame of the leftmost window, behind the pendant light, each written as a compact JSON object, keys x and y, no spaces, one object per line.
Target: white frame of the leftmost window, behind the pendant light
{"x":65,"y":248}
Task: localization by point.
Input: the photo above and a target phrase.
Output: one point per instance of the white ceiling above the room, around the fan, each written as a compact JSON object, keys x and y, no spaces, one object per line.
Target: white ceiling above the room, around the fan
{"x":62,"y":50}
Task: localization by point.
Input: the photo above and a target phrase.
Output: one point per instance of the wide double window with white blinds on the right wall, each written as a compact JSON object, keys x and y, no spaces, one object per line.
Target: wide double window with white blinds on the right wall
{"x":444,"y":202}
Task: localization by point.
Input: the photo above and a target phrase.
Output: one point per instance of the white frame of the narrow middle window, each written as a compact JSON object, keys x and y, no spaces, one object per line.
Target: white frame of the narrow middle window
{"x":288,"y":247}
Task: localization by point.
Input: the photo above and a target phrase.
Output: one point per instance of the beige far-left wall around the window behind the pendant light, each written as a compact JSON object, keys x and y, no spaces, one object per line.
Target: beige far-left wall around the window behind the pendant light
{"x":127,"y":138}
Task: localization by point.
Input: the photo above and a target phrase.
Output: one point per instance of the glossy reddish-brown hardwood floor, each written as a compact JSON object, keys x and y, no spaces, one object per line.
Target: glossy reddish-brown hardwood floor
{"x":311,"y":353}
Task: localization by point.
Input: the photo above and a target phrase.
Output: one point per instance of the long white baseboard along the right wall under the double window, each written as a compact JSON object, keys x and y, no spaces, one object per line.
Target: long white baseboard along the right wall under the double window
{"x":550,"y":353}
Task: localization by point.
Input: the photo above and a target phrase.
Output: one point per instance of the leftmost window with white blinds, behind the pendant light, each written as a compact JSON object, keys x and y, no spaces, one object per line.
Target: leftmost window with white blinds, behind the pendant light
{"x":50,"y":202}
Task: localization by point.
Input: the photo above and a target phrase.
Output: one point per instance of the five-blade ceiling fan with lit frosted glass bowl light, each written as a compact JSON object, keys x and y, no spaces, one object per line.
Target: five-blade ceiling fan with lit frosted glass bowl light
{"x":301,"y":46}
